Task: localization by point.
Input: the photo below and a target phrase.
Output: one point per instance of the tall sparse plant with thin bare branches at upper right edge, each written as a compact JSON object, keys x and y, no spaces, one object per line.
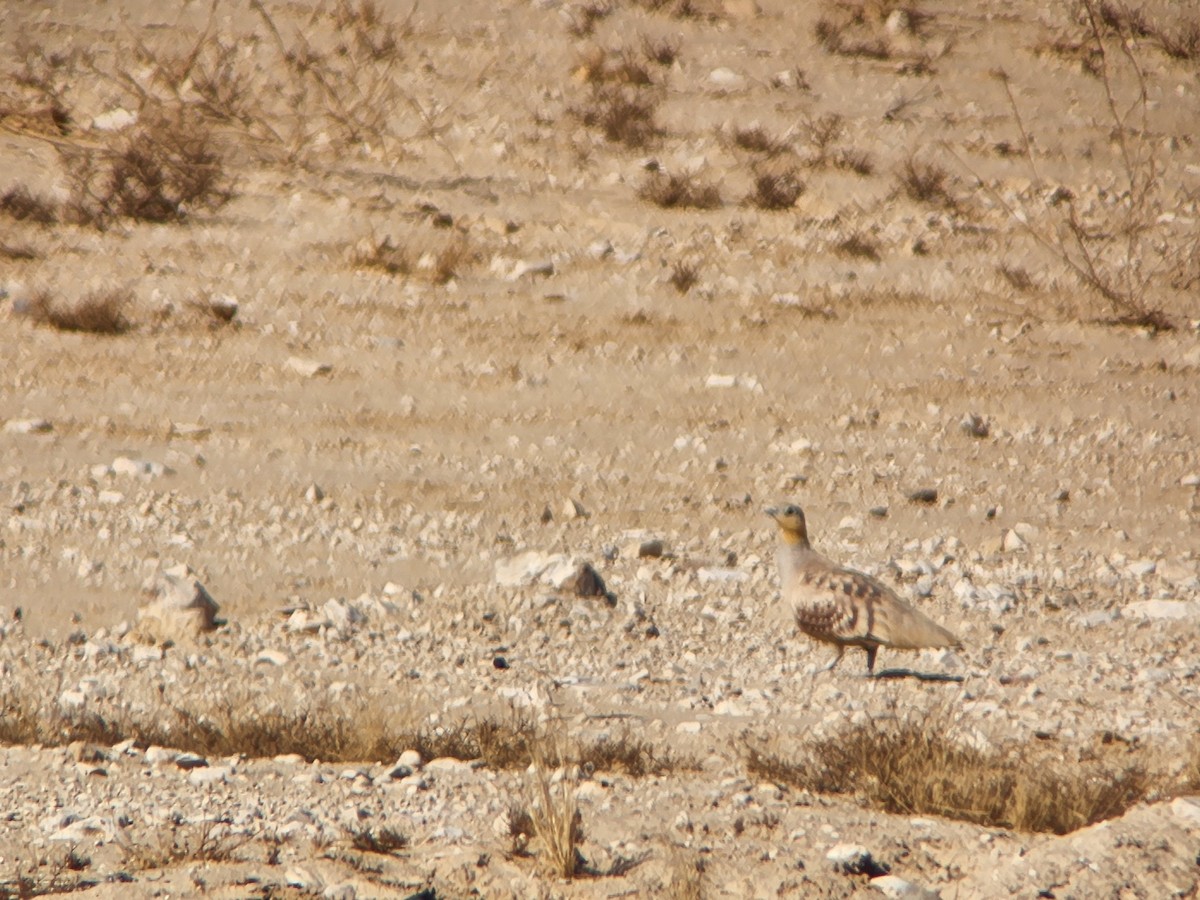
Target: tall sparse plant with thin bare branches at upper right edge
{"x":1125,"y":242}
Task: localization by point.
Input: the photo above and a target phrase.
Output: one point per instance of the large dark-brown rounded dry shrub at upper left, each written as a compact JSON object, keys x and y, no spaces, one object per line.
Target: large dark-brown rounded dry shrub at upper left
{"x":160,"y":171}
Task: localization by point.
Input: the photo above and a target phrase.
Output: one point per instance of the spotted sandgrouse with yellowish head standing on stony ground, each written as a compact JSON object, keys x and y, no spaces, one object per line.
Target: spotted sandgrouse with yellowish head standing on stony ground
{"x":843,"y":607}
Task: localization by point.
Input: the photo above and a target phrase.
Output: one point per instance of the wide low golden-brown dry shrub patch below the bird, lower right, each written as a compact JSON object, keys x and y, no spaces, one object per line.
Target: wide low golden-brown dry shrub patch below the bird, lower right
{"x":927,"y":766}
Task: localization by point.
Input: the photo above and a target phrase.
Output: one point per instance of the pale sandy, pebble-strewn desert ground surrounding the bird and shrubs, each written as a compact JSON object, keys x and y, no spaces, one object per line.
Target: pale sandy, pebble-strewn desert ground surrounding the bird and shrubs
{"x":560,"y":395}
